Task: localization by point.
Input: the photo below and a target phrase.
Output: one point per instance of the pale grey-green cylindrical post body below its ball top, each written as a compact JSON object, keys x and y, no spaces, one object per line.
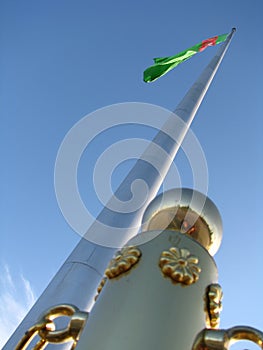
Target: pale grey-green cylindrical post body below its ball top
{"x":159,"y":302}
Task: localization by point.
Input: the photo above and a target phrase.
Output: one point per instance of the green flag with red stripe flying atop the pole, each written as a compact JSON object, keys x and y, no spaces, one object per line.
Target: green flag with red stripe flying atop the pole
{"x":163,"y":65}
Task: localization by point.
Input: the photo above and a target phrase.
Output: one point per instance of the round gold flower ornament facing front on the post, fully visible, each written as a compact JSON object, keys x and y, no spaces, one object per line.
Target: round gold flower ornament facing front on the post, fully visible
{"x":180,"y":265}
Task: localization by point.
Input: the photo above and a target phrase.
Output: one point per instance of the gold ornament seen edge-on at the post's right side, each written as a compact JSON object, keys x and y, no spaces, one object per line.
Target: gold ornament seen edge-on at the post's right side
{"x":213,"y":305}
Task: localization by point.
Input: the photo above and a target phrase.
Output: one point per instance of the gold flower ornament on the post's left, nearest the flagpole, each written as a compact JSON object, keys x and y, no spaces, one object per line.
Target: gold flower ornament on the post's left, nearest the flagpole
{"x":123,"y":261}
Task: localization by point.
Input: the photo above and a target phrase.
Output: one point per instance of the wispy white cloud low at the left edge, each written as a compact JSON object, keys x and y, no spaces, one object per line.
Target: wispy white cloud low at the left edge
{"x":16,"y":298}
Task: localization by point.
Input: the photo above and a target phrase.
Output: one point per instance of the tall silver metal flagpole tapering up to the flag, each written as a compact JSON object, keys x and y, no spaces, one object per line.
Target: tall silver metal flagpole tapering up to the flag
{"x":77,"y":279}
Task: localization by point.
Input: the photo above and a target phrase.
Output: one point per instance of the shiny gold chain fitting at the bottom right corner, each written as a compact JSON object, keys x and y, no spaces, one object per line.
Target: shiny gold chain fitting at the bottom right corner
{"x":222,"y":339}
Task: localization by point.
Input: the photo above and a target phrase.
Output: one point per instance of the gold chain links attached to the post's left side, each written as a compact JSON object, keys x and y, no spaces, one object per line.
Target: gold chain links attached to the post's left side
{"x":45,"y":328}
